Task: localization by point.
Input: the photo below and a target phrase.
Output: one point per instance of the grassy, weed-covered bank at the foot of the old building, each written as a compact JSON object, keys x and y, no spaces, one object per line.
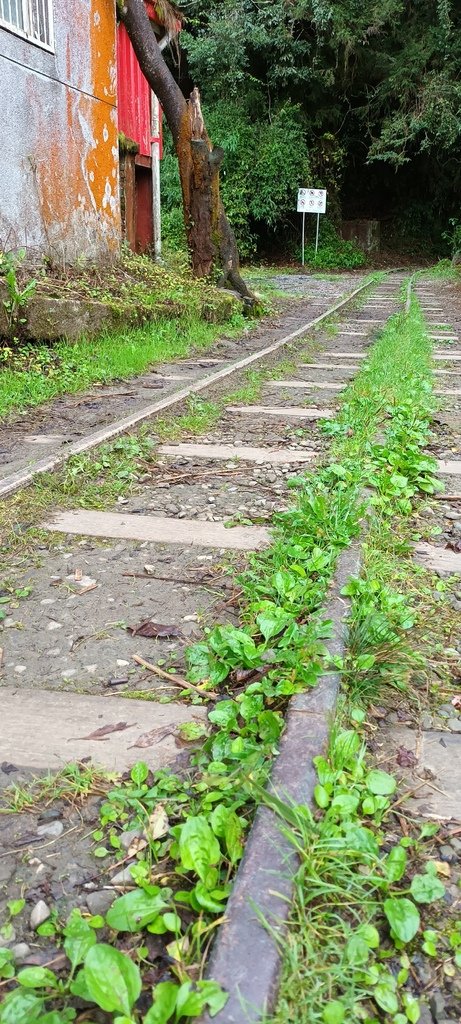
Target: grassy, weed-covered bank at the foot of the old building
{"x":177,"y":316}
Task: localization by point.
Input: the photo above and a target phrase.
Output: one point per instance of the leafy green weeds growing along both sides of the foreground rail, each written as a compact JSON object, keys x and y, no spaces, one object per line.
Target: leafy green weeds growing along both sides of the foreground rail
{"x":190,"y":831}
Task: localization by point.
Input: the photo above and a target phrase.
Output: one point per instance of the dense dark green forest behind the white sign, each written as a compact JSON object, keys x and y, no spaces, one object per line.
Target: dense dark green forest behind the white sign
{"x":361,"y":99}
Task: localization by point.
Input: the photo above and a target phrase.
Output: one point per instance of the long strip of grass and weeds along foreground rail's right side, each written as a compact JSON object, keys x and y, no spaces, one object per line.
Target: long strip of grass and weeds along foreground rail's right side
{"x":368,"y":892}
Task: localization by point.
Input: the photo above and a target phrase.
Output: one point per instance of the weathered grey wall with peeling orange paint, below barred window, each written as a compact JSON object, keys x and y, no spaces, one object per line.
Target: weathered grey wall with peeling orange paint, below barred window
{"x":59,"y":158}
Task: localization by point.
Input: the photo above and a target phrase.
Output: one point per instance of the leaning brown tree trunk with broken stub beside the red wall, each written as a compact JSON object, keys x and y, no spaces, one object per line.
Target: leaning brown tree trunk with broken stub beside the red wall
{"x":212,"y":240}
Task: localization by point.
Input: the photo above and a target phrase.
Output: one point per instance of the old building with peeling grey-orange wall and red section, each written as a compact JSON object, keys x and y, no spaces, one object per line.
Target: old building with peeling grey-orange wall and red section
{"x":60,"y":167}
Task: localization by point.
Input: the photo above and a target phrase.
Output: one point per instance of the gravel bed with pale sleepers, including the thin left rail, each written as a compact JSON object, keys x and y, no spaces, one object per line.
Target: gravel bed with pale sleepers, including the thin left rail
{"x":157,"y":553}
